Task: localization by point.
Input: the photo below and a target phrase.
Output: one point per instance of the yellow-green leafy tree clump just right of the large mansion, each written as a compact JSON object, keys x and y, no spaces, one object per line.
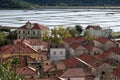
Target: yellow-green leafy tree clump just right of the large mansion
{"x":56,"y":35}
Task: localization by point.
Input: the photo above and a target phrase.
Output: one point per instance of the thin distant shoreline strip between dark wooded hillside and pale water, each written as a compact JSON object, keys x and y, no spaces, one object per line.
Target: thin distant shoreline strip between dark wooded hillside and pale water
{"x":66,"y":7}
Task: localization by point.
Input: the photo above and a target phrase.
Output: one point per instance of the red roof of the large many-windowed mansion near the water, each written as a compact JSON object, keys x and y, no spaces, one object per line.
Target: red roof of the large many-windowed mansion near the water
{"x":34,"y":26}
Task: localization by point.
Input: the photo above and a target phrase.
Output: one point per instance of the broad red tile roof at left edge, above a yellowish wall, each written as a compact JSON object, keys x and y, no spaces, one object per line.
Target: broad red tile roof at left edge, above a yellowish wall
{"x":20,"y":48}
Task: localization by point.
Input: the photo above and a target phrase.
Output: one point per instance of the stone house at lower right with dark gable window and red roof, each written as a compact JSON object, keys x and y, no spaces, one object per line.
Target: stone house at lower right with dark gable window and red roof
{"x":100,"y":69}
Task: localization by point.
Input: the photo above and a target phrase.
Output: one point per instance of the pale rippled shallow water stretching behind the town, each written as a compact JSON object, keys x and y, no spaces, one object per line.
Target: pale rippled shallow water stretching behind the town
{"x":108,"y":18}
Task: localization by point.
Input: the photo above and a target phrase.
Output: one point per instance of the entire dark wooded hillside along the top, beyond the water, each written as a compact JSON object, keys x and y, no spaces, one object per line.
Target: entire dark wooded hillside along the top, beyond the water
{"x":28,"y":4}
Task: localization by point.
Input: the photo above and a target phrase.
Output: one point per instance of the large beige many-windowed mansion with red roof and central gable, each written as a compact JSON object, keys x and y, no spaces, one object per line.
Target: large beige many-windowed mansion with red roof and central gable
{"x":31,"y":30}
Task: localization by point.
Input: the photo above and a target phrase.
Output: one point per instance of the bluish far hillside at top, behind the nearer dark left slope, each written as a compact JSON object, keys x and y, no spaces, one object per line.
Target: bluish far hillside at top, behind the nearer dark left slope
{"x":76,"y":2}
